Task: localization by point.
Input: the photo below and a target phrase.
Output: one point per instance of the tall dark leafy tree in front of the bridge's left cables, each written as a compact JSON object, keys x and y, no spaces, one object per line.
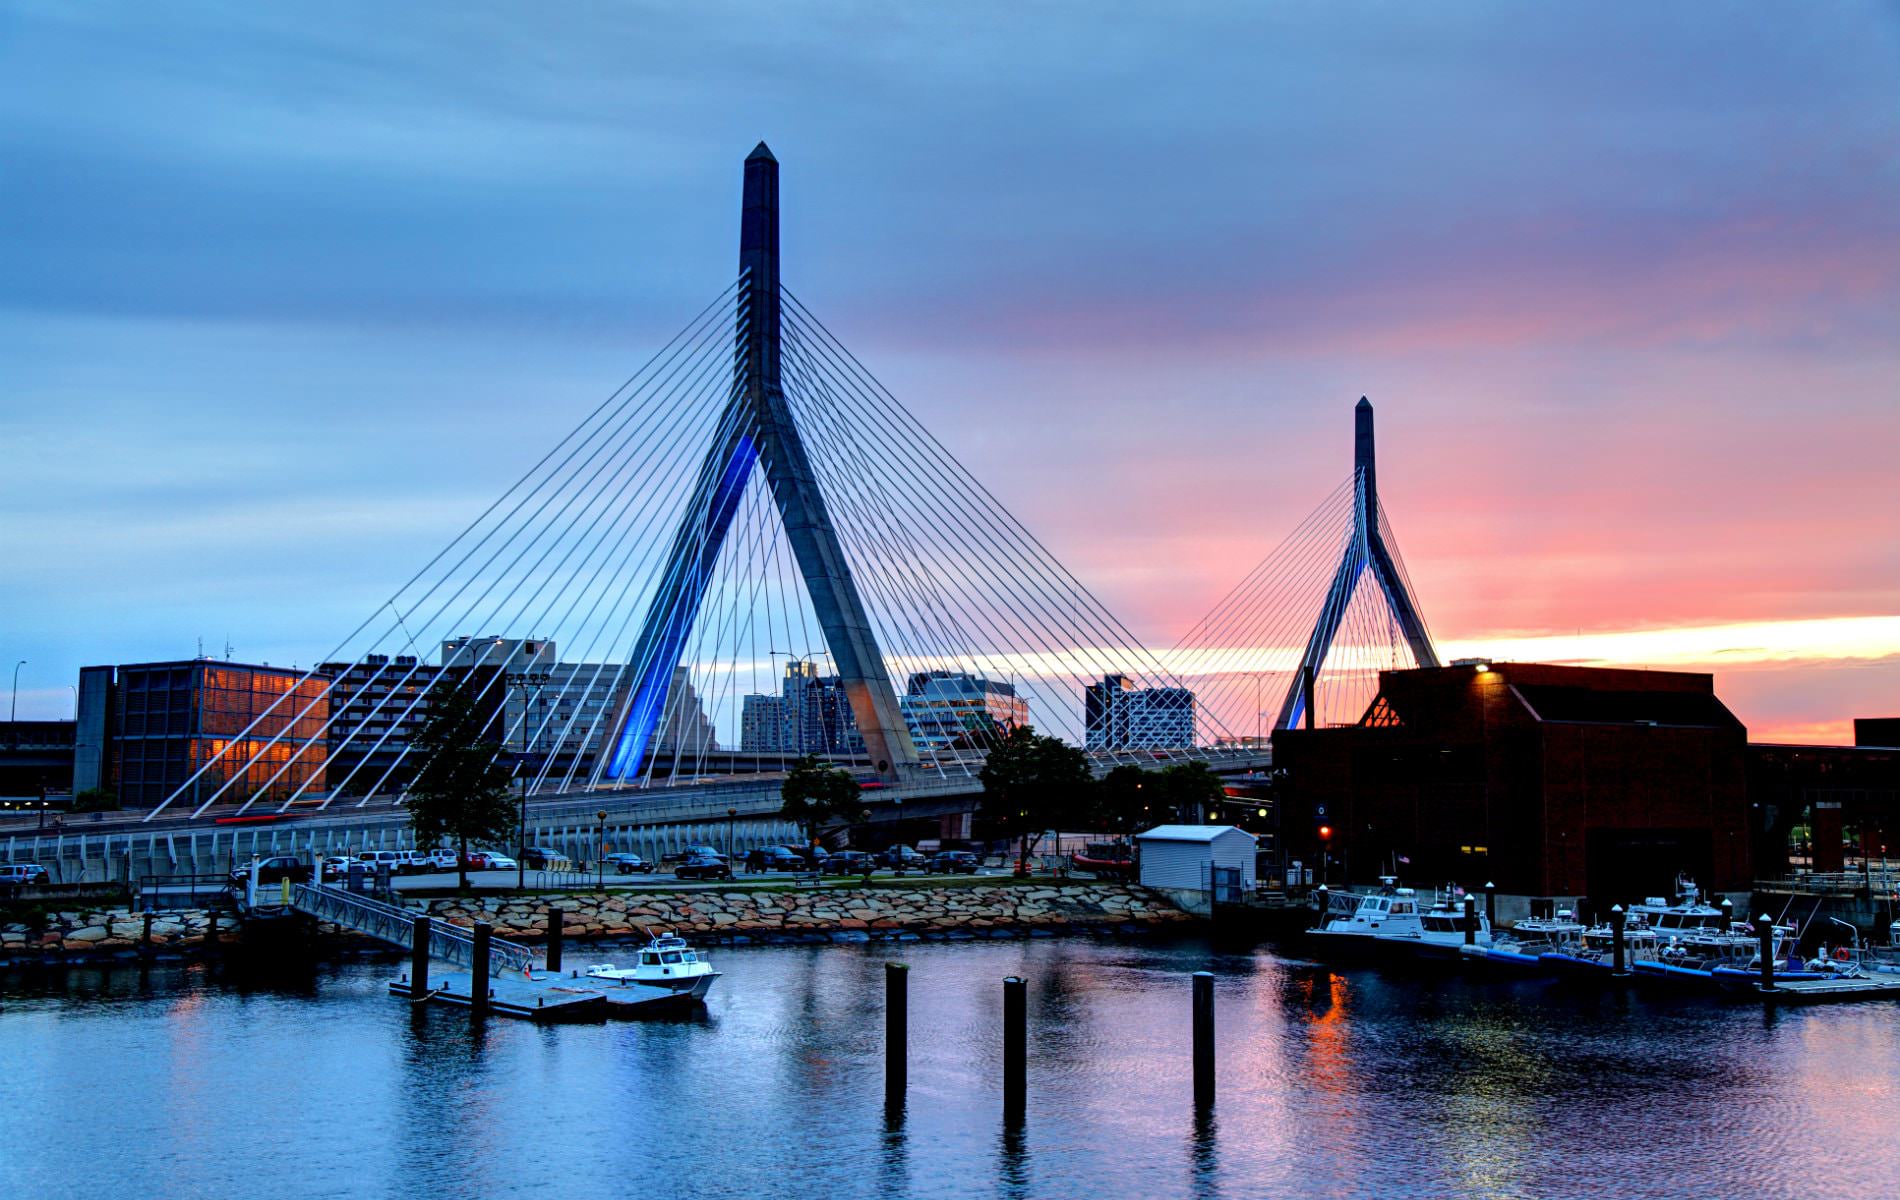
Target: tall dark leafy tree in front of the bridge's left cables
{"x":465,"y":787}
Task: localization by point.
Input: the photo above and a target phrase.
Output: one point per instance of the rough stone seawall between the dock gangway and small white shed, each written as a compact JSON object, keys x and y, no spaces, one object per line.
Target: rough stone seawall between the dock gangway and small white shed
{"x":761,"y":914}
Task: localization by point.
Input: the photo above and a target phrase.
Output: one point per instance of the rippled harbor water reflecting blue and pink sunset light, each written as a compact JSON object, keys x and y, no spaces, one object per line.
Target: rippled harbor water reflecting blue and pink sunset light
{"x":204,"y":1081}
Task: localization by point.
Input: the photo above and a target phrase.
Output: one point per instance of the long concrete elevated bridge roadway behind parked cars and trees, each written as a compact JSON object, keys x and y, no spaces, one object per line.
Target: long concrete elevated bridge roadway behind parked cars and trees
{"x":645,"y":821}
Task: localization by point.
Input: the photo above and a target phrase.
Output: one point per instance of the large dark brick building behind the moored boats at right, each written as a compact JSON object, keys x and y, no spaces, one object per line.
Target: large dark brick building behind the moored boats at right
{"x":1549,"y":781}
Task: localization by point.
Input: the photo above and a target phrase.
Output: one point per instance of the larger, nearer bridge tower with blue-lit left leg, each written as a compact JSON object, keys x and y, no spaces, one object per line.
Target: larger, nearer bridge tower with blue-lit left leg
{"x":759,"y":432}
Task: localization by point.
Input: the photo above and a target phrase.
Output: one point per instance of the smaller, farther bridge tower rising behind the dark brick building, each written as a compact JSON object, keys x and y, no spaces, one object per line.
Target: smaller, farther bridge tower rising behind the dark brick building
{"x":1365,"y":552}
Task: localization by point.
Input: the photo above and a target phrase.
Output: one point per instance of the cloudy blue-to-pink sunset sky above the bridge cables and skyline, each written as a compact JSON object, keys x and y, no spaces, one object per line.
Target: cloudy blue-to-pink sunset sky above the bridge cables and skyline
{"x":292,"y":291}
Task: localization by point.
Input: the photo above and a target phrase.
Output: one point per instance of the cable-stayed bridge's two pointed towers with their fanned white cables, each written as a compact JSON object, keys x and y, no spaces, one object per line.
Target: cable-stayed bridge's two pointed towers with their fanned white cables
{"x":753,"y":552}
